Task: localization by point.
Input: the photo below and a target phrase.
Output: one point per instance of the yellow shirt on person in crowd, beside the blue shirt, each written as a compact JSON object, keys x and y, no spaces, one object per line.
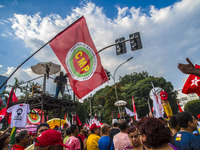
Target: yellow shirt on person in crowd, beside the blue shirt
{"x":92,"y":142}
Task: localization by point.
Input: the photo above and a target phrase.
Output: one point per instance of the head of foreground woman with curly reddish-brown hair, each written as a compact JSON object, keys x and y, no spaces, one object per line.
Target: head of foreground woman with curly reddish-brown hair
{"x":154,"y":134}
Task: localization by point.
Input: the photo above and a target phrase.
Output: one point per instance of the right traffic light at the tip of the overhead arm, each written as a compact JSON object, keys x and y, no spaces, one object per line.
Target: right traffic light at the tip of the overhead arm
{"x":135,"y":41}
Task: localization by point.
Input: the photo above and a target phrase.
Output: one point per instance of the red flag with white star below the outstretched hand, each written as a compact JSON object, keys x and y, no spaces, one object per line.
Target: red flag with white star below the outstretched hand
{"x":192,"y":84}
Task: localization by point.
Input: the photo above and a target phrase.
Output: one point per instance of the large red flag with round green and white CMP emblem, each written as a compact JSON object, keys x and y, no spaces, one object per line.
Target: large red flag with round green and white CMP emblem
{"x":77,"y":53}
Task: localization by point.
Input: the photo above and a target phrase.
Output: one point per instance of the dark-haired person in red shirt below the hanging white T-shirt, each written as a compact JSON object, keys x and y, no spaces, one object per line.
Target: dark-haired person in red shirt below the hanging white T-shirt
{"x":22,"y":140}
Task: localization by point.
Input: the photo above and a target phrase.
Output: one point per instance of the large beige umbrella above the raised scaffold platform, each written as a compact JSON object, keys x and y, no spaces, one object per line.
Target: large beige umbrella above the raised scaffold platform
{"x":48,"y":68}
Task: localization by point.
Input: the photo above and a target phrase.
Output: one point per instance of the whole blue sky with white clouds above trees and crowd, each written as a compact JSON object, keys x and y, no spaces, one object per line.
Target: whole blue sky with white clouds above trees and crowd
{"x":169,"y":29}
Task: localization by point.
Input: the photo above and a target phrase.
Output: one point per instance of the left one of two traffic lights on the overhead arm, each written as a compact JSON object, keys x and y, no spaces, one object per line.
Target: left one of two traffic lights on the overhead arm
{"x":120,"y":46}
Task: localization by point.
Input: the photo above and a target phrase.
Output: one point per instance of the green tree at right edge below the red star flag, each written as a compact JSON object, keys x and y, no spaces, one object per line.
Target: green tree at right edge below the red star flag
{"x":193,"y":107}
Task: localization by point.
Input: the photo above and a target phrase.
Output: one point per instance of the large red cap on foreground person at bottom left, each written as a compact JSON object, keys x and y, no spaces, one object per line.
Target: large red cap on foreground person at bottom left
{"x":50,"y":137}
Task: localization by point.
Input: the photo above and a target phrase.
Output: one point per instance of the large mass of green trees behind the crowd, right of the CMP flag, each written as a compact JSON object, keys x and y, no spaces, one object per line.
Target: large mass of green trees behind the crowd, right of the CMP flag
{"x":137,"y":85}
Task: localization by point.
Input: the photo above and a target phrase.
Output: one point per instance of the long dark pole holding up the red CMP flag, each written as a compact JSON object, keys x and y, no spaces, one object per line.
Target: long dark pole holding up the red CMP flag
{"x":37,"y":52}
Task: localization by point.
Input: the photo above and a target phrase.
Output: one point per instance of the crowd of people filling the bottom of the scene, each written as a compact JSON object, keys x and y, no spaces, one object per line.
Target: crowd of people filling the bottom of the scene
{"x":180,"y":132}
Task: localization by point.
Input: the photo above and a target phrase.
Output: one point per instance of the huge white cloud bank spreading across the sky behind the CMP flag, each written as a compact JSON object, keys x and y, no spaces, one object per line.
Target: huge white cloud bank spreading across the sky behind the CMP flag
{"x":169,"y":35}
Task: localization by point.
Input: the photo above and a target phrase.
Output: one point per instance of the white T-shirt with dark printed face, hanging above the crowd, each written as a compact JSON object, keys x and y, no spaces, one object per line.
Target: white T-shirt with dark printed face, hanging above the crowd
{"x":19,"y":115}
